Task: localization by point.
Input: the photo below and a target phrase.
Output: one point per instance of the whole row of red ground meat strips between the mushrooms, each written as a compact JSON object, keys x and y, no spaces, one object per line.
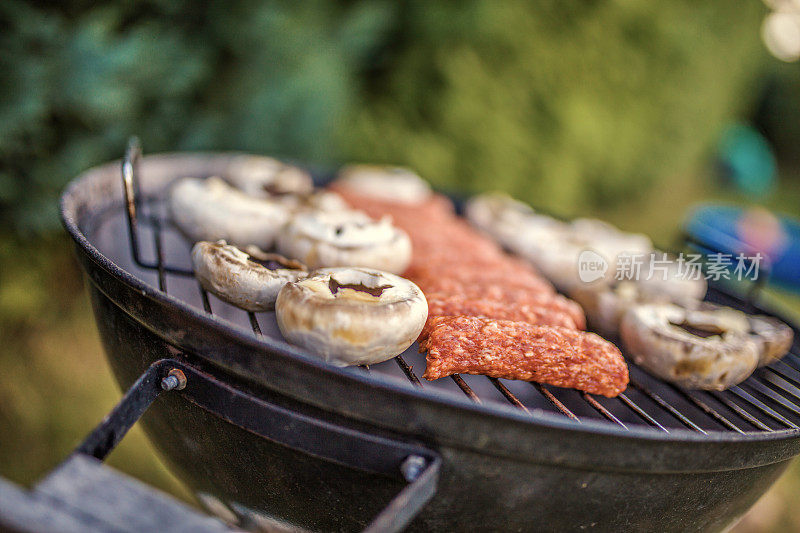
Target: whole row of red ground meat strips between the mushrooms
{"x":490,"y":313}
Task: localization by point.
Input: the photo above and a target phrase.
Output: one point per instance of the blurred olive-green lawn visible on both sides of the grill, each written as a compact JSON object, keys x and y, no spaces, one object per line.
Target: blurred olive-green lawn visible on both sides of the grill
{"x":55,"y":385}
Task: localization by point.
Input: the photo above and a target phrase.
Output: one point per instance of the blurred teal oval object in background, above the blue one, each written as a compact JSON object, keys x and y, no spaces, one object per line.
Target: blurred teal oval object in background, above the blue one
{"x":747,"y":160}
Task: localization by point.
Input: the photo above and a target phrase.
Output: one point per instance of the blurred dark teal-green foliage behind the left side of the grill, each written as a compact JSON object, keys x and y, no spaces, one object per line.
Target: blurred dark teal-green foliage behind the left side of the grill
{"x":77,"y":78}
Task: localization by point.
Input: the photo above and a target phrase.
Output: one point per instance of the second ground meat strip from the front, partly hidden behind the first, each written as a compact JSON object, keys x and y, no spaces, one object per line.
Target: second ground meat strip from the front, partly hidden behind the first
{"x":456,"y":305}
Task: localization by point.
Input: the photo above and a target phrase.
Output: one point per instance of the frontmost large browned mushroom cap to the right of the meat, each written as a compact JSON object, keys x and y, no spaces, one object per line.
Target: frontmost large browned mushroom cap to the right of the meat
{"x":696,"y":349}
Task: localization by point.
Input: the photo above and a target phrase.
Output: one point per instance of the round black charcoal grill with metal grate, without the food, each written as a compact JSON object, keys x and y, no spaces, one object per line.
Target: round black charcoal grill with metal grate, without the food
{"x":276,"y":437}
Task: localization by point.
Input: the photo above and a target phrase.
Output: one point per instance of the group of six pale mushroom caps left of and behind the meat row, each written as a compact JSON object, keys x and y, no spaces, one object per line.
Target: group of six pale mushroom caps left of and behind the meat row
{"x":333,"y":282}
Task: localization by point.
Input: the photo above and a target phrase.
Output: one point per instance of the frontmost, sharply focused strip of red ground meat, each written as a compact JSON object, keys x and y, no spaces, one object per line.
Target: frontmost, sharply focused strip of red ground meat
{"x":516,"y":350}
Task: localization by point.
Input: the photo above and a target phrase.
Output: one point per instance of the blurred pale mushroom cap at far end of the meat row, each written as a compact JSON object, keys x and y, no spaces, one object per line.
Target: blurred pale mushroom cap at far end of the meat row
{"x":386,"y":183}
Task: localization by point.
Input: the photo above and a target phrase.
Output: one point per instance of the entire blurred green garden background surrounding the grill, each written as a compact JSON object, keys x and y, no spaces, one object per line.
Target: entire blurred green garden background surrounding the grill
{"x":631,"y":111}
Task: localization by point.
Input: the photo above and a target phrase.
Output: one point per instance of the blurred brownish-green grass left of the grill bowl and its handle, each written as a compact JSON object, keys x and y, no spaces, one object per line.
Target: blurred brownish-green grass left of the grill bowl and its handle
{"x":56,"y":385}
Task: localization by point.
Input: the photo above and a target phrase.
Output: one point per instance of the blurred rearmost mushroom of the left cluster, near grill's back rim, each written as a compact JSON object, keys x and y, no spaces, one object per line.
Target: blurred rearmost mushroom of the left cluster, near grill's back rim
{"x":265,"y":177}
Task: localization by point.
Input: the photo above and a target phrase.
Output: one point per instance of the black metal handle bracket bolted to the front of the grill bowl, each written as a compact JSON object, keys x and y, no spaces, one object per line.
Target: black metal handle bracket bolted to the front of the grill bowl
{"x":417,"y":465}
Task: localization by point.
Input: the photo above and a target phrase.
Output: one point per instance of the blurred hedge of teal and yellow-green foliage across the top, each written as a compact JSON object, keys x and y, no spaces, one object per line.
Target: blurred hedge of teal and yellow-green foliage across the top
{"x":567,"y":104}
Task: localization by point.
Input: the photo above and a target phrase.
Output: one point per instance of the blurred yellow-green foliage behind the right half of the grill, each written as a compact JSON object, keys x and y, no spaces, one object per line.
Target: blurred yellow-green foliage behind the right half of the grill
{"x":565,"y":104}
